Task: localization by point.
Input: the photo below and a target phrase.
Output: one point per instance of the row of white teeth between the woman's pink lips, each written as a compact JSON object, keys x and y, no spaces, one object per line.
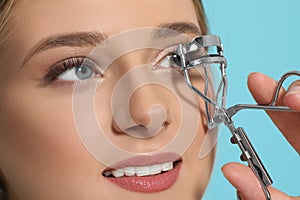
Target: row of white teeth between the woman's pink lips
{"x":140,"y":171}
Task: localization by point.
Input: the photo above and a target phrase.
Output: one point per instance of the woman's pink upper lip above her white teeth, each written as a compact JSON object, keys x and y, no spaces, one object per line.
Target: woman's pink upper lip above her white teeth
{"x":147,"y":160}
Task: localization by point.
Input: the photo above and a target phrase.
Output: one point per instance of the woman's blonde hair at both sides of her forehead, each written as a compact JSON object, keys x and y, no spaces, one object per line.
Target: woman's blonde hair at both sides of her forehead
{"x":6,"y":7}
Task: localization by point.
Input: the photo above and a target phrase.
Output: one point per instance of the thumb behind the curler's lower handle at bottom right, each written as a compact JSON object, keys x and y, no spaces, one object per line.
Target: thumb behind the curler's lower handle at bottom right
{"x":247,"y":184}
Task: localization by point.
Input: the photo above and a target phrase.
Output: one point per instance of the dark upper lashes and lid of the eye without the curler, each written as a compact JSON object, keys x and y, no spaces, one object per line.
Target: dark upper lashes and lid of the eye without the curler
{"x":53,"y":72}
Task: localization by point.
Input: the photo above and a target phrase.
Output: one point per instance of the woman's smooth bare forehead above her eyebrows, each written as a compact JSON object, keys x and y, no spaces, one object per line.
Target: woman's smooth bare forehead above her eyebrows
{"x":56,"y":16}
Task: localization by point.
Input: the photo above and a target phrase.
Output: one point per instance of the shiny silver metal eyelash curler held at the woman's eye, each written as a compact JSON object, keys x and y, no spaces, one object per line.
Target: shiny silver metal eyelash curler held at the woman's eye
{"x":190,"y":56}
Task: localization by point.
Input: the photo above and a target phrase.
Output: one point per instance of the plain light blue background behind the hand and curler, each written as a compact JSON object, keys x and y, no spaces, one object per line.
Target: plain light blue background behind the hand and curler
{"x":264,"y":36}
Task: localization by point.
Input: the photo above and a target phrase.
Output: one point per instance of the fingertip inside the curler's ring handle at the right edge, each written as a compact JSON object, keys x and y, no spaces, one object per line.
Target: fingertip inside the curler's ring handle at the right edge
{"x":292,"y":98}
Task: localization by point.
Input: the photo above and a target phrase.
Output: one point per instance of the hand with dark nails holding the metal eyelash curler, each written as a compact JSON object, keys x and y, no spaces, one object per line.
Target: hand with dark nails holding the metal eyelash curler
{"x":262,"y":89}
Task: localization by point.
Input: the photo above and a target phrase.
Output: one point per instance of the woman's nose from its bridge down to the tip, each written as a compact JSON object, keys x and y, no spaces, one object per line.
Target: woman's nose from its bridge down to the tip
{"x":145,"y":107}
